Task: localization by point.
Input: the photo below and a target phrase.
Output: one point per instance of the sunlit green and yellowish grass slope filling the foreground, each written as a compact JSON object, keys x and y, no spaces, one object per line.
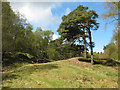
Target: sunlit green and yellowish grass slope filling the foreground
{"x":60,"y":74}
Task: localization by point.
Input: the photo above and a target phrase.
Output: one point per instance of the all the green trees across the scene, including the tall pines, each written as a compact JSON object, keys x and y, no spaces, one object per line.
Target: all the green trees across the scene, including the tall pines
{"x":18,"y":35}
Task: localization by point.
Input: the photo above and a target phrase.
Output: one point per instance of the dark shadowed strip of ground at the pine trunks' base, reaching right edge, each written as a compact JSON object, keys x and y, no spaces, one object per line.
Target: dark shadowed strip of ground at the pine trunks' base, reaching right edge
{"x":102,"y":62}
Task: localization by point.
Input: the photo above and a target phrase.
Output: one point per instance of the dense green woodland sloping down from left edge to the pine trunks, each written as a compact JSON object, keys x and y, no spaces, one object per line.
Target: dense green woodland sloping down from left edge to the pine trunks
{"x":18,"y":36}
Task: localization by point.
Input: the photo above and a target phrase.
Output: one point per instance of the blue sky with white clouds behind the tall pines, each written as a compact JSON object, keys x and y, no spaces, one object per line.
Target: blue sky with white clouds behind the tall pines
{"x":47,"y":15}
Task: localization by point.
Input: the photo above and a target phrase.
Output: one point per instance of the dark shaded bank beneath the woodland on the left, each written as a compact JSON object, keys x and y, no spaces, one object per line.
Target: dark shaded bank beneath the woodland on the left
{"x":12,"y":60}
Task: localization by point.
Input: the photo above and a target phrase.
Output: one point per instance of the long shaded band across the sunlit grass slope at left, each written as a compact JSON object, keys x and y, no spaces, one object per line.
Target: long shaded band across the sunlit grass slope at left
{"x":27,"y":70}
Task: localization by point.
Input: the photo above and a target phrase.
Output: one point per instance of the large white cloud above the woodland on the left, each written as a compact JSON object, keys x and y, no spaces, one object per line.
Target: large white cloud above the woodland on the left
{"x":37,"y":12}
